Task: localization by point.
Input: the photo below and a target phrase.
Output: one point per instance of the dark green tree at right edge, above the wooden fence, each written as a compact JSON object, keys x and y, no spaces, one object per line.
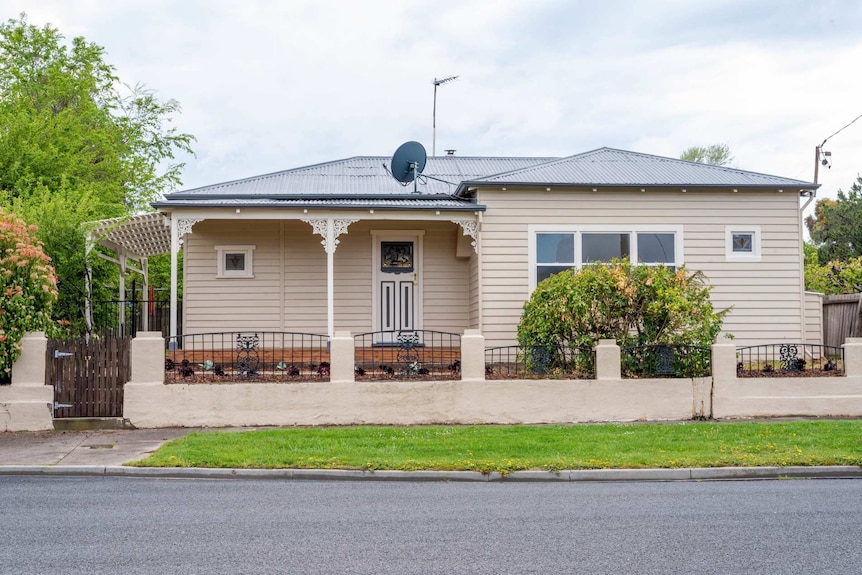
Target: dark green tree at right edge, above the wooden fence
{"x":836,"y":226}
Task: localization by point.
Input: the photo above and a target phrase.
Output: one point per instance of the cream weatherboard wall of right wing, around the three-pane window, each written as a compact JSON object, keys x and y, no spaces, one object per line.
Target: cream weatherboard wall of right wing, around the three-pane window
{"x":765,"y":293}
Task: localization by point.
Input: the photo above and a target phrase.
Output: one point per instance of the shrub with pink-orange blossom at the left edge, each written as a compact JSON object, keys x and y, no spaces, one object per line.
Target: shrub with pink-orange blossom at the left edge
{"x":28,"y":287}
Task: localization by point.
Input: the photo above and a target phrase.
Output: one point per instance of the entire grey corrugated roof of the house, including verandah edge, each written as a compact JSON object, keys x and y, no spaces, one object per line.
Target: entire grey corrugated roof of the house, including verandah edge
{"x":364,"y":181}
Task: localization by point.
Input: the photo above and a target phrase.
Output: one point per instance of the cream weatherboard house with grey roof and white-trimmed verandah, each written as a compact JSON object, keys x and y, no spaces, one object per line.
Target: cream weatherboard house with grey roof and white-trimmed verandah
{"x":344,"y":246}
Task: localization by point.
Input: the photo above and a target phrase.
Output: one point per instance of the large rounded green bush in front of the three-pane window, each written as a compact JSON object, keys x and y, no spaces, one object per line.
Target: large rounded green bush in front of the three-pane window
{"x":635,"y":305}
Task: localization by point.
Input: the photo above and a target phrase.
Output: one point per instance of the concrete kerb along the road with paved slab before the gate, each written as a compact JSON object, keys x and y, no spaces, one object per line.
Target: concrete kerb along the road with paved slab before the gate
{"x":104,"y":452}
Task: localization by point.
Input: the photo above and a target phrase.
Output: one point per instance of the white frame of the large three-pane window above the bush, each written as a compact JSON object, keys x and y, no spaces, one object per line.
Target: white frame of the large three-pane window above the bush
{"x":577,"y":230}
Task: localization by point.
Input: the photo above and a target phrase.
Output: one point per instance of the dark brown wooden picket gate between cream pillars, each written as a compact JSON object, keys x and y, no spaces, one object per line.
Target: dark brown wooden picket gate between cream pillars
{"x":88,"y":374}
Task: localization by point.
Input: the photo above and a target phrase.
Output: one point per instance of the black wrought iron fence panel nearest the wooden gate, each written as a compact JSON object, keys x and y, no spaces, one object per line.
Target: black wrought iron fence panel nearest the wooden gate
{"x":247,"y":356}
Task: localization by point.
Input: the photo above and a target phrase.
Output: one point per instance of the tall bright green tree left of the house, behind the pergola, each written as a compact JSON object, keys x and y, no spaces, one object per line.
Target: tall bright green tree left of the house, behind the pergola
{"x":78,"y":145}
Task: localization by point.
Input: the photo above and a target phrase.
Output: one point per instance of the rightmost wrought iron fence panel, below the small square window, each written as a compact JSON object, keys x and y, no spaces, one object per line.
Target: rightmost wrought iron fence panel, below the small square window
{"x":789,"y":359}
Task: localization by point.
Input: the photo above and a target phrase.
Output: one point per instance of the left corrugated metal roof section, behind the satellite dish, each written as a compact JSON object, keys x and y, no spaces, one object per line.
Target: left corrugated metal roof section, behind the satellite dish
{"x":359,"y":176}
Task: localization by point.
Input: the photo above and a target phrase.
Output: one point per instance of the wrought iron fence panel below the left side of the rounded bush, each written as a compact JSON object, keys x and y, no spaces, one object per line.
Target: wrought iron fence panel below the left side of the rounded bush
{"x":539,"y":362}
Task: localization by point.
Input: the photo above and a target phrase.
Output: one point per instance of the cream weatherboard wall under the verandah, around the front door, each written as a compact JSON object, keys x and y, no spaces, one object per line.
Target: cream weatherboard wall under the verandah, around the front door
{"x":288,"y":290}
